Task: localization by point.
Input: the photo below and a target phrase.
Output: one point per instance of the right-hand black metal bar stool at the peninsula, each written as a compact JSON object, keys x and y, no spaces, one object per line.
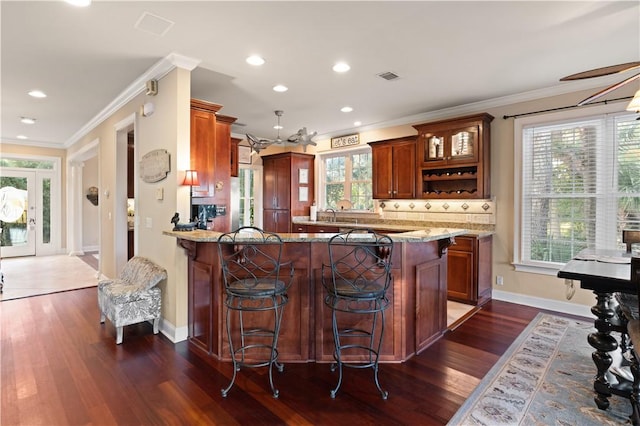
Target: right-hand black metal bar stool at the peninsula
{"x":356,"y":281}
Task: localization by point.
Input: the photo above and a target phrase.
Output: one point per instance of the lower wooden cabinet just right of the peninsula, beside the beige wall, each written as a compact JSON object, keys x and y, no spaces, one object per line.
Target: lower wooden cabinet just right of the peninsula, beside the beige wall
{"x":469,"y":270}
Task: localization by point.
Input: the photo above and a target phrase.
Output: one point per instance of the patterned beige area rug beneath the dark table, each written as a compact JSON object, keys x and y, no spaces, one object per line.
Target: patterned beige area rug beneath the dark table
{"x":544,"y":378}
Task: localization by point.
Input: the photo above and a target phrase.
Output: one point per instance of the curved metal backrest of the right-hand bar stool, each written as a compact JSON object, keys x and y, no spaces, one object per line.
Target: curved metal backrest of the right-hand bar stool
{"x":361,"y":259}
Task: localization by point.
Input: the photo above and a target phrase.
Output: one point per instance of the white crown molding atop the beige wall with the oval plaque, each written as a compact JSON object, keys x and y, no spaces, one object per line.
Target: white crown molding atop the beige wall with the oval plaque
{"x":155,"y":72}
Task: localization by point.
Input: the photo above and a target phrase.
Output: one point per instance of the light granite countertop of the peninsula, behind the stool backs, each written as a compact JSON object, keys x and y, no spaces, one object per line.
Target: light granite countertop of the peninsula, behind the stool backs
{"x":422,"y":235}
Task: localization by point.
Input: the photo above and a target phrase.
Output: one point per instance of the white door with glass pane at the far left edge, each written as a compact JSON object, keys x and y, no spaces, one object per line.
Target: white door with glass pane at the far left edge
{"x":18,"y":213}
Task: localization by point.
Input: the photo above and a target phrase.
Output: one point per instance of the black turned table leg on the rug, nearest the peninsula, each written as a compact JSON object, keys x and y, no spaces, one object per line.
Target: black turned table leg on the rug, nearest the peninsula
{"x":603,"y":343}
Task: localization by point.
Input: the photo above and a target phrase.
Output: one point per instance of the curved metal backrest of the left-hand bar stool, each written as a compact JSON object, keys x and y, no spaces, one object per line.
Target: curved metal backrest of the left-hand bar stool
{"x":251,"y":257}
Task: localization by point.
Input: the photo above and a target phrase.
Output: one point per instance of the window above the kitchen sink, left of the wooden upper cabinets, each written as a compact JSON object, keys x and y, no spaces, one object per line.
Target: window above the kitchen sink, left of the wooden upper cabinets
{"x":347,"y":176}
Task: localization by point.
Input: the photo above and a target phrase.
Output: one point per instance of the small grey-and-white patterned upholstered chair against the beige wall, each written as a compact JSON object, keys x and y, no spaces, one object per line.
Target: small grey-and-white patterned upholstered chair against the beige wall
{"x":133,"y":297}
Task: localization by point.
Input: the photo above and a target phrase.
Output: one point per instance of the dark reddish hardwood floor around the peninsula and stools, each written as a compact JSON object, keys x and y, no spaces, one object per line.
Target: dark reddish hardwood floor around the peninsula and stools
{"x":60,"y":366}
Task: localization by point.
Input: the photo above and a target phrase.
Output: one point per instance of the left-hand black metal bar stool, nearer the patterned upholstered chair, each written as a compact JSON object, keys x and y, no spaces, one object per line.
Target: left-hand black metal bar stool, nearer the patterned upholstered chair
{"x":255,"y":281}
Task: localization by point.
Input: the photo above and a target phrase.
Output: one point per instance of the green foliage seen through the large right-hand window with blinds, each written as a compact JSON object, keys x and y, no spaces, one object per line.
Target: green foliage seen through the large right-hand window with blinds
{"x":567,"y":185}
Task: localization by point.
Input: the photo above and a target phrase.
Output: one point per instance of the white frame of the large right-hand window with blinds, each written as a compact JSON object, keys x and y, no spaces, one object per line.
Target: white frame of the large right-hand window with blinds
{"x":520,"y":124}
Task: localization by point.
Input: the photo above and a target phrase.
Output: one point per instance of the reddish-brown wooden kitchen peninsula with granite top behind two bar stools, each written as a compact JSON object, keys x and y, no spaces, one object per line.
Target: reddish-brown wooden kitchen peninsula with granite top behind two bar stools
{"x":418,"y":294}
